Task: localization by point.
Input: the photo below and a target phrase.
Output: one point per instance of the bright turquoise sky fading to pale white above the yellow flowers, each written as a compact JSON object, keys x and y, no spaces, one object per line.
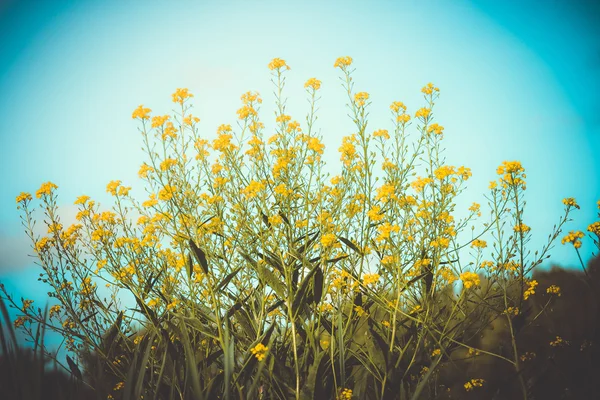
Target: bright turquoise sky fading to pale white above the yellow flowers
{"x":519,"y":80}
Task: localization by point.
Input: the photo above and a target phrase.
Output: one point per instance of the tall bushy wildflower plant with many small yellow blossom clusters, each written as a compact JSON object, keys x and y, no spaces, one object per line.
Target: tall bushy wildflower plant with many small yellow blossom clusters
{"x":254,"y":272}
